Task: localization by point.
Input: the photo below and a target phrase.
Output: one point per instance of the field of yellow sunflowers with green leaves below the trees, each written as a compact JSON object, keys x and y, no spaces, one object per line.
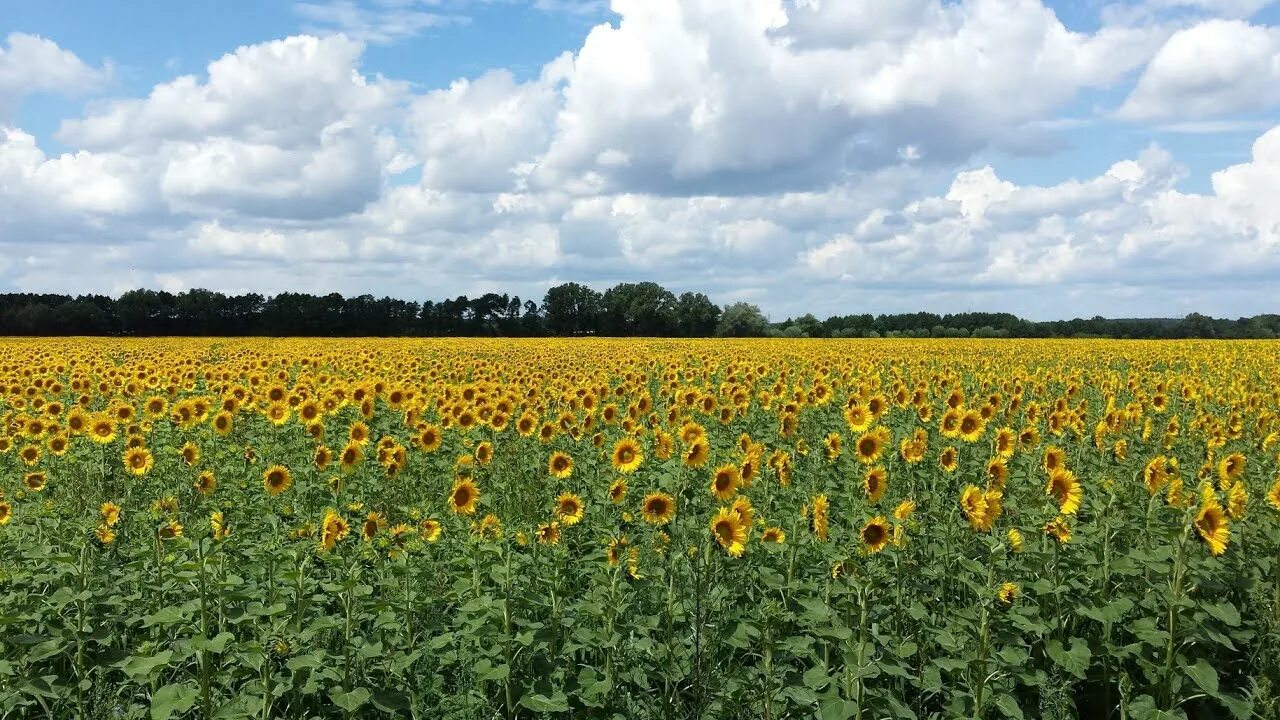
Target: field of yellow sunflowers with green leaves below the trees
{"x":639,"y":530}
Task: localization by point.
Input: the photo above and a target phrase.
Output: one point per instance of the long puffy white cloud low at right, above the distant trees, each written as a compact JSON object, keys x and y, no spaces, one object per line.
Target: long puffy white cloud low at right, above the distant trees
{"x":1128,"y":227}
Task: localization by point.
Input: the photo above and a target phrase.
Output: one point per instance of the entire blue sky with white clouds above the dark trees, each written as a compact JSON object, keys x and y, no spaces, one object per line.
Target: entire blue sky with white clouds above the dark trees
{"x":822,"y":156}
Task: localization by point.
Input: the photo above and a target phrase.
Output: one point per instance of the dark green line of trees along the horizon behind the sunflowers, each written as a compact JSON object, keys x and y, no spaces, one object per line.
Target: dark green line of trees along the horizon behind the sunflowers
{"x":572,"y":309}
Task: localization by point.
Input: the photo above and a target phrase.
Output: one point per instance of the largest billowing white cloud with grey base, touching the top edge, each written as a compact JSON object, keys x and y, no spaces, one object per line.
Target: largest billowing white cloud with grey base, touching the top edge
{"x":789,"y":95}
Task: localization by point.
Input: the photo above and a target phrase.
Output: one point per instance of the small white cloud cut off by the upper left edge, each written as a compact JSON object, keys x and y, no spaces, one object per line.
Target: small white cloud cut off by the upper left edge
{"x":30,"y":63}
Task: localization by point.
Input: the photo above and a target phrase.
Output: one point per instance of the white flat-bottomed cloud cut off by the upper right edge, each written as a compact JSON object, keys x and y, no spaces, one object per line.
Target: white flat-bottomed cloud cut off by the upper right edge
{"x":1212,"y":70}
